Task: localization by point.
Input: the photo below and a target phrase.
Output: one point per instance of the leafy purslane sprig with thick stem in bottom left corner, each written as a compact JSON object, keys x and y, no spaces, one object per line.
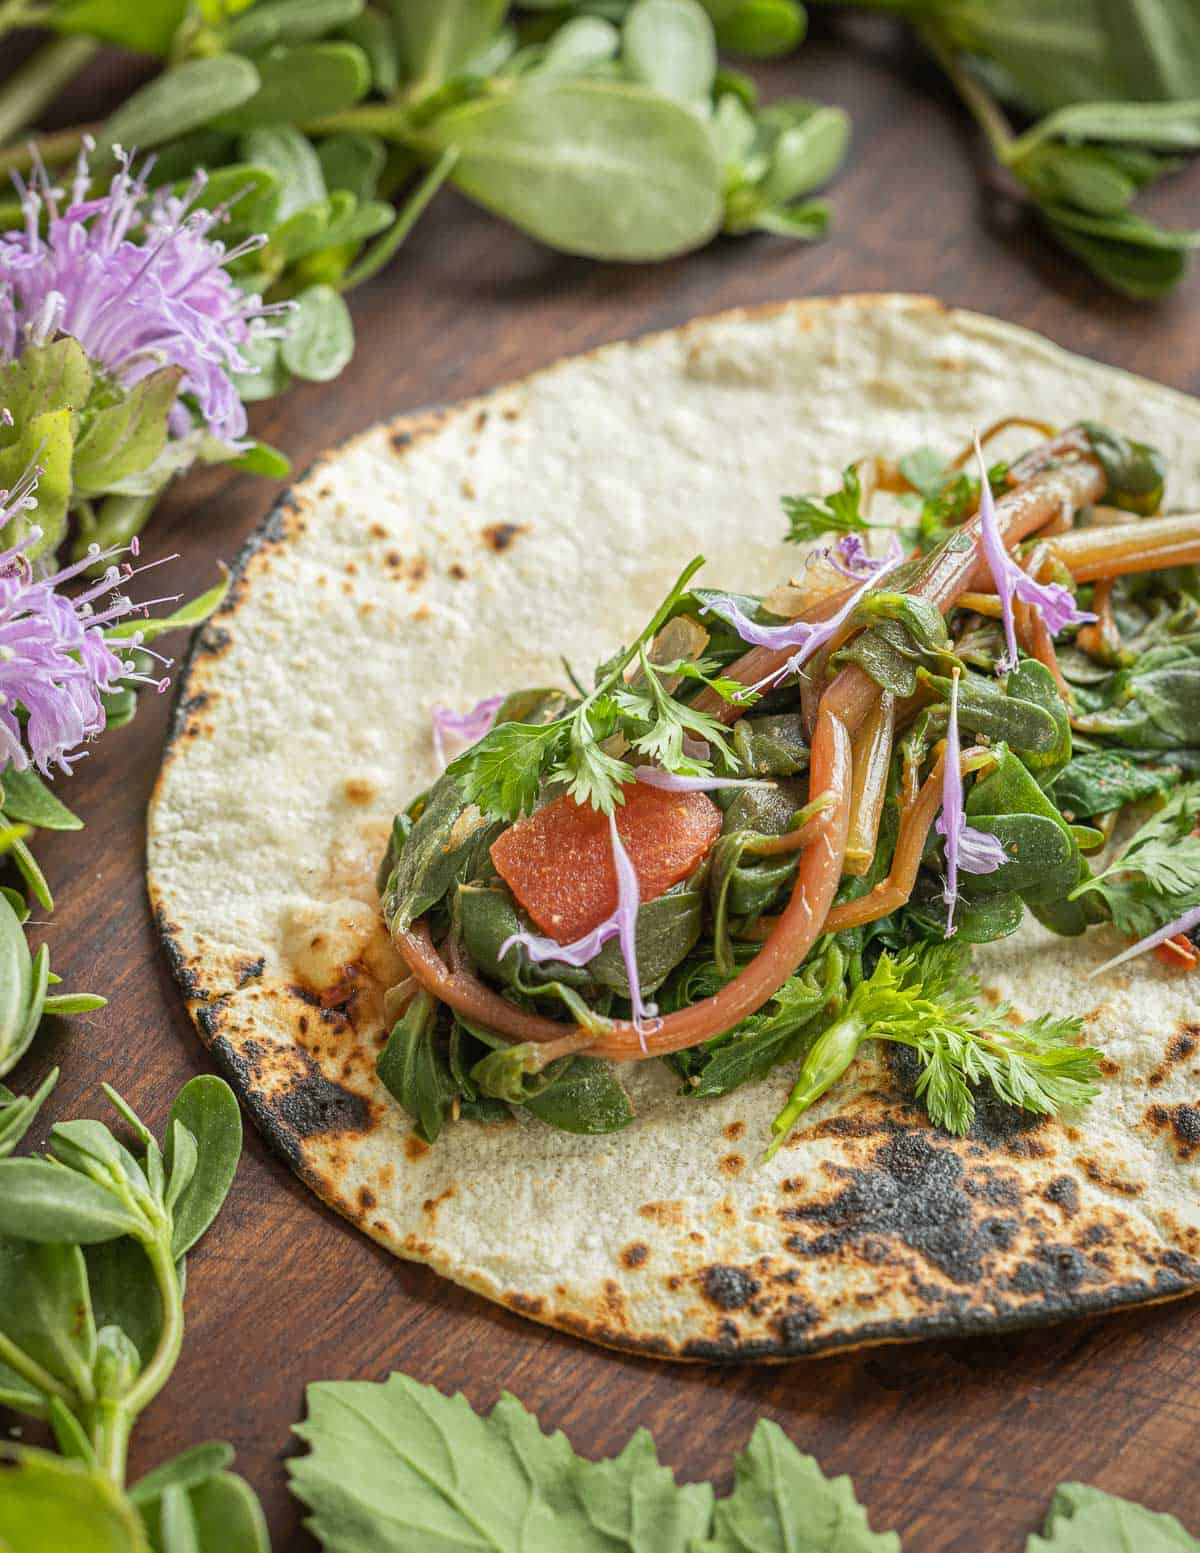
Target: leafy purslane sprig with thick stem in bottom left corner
{"x":94,"y":1240}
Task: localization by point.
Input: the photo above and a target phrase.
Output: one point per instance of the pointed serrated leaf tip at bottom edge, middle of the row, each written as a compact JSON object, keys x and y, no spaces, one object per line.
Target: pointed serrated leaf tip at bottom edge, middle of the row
{"x":782,"y":1503}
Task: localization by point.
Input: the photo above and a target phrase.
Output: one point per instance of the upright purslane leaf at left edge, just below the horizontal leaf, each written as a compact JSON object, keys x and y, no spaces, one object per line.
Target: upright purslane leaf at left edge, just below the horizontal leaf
{"x":46,"y":1308}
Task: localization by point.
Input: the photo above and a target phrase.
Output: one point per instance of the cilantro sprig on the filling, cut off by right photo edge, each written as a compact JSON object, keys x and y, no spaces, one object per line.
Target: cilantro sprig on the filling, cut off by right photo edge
{"x":1157,"y":875}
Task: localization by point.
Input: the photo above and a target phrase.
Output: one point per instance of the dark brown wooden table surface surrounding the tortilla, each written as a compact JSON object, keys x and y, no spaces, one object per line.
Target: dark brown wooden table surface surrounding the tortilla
{"x":955,"y":1445}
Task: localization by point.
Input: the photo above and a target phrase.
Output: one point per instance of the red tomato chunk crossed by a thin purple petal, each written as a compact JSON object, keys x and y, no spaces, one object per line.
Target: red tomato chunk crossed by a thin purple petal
{"x":560,"y":861}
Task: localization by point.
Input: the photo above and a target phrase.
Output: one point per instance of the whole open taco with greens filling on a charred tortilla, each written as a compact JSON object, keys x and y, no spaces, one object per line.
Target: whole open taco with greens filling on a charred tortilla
{"x":741,"y":957}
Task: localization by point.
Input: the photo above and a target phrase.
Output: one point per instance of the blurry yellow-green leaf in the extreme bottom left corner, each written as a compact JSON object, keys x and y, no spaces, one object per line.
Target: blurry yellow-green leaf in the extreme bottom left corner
{"x":54,"y":1504}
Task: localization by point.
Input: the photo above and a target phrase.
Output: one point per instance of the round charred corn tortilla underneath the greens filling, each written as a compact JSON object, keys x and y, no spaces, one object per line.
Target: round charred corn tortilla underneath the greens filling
{"x":442,"y":558}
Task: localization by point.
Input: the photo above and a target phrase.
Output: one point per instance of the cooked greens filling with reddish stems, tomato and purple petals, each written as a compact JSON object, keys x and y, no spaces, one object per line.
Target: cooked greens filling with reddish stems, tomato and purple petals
{"x":772,"y":829}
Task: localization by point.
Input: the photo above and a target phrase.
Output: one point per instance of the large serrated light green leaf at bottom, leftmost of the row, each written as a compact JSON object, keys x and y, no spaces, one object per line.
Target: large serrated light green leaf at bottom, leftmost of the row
{"x":386,"y":1475}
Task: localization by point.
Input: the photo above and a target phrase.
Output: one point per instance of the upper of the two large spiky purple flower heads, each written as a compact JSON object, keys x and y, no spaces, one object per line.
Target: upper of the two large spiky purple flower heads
{"x":139,"y":282}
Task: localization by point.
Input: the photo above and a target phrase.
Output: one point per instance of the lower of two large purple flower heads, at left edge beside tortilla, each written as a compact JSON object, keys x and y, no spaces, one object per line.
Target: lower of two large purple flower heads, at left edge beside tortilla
{"x":55,"y":664}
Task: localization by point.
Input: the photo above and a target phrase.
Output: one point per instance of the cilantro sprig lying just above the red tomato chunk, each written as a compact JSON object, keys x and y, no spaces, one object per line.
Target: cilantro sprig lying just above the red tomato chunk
{"x":507,"y":770}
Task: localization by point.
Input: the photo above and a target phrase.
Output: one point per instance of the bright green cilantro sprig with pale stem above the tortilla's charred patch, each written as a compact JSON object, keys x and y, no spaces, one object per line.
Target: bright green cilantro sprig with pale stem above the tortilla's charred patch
{"x":929,"y":1001}
